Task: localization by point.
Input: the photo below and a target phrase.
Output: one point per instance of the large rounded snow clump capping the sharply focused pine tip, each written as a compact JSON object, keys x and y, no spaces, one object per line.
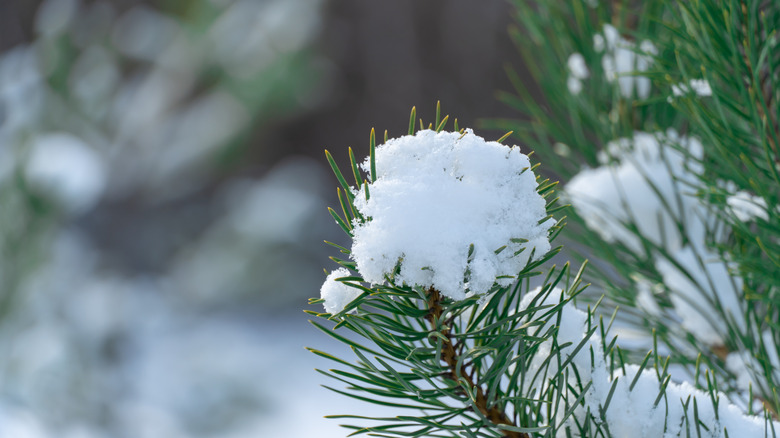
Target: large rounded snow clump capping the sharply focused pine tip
{"x":435,"y":195}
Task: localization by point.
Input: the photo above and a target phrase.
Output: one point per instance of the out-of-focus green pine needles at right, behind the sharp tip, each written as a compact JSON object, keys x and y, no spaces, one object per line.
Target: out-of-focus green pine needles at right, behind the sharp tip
{"x":733,"y":46}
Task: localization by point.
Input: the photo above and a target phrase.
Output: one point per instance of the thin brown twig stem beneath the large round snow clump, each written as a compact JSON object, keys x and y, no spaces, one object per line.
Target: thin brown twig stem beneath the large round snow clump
{"x":495,"y":413}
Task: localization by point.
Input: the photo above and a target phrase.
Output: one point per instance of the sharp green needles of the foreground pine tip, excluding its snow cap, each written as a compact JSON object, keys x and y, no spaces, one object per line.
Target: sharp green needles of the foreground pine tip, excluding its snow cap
{"x":458,"y":365}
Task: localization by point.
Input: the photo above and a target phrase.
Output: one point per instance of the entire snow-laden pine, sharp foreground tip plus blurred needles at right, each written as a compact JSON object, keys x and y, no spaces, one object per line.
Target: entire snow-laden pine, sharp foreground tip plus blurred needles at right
{"x":447,"y":297}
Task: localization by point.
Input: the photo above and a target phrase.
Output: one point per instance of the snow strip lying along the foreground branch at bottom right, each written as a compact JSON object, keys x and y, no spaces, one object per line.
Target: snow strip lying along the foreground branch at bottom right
{"x":631,"y":411}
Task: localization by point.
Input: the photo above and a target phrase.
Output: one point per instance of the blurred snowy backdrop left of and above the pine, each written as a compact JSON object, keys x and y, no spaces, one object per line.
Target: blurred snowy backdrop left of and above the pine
{"x":163,"y":195}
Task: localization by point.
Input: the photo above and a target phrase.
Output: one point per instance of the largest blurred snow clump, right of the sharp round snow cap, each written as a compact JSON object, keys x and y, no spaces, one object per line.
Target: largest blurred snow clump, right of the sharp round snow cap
{"x":613,"y":195}
